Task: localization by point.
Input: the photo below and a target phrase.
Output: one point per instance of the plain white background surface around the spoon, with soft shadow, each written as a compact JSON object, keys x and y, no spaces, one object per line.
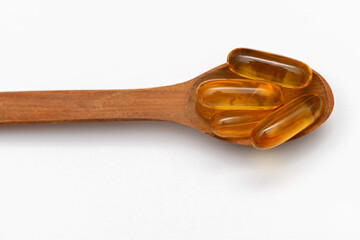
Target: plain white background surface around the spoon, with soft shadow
{"x":159,"y":180}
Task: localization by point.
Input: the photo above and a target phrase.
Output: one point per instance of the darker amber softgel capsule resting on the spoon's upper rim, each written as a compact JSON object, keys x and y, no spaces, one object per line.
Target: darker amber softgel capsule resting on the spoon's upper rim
{"x":265,"y":66}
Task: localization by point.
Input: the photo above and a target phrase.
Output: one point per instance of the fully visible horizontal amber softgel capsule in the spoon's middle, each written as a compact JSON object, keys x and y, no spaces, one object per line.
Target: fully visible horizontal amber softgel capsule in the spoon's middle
{"x":239,"y":94}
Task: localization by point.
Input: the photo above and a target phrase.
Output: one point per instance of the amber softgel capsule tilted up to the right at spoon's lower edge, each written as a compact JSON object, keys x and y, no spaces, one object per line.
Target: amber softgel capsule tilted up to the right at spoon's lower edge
{"x":286,"y":121}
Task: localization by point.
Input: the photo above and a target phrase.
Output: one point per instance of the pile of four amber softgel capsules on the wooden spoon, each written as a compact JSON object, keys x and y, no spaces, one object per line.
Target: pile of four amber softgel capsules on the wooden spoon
{"x":253,"y":107}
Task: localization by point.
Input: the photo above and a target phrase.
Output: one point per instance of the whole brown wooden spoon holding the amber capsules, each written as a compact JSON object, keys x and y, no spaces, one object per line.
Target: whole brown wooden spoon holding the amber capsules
{"x":176,"y":103}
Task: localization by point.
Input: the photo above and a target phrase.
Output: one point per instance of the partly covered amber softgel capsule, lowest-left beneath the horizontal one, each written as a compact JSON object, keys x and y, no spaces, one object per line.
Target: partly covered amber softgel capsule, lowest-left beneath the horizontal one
{"x":236,"y":124}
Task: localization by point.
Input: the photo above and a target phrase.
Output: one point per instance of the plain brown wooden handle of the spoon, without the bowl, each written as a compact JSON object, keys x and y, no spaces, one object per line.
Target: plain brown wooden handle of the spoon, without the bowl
{"x":163,"y":103}
